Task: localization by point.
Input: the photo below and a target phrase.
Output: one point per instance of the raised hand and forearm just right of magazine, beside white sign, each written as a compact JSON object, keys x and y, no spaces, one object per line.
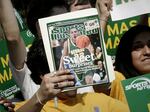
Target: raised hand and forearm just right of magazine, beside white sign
{"x":103,"y":7}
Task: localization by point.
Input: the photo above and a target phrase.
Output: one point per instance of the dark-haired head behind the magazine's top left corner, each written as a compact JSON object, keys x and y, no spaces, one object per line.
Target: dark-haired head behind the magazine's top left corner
{"x":43,"y":8}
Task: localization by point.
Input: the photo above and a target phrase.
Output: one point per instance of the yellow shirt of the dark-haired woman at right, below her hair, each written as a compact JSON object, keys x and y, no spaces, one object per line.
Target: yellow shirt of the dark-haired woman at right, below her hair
{"x":116,"y":88}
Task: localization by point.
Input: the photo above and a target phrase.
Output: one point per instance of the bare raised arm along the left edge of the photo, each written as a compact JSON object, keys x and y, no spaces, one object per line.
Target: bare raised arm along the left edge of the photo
{"x":16,"y":47}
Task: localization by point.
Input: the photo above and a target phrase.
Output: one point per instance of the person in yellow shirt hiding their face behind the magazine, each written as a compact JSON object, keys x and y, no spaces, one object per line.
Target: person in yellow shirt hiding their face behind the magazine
{"x":50,"y":87}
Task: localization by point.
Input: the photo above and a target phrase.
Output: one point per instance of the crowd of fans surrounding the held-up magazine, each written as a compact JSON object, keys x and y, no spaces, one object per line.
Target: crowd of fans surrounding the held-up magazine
{"x":40,"y":86}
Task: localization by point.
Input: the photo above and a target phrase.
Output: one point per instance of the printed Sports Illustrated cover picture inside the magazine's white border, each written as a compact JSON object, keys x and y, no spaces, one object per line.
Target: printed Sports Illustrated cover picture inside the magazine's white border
{"x":76,"y":46}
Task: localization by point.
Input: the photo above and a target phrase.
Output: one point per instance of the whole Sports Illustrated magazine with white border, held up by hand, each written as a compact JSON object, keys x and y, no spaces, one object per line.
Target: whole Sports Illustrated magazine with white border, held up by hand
{"x":74,"y":41}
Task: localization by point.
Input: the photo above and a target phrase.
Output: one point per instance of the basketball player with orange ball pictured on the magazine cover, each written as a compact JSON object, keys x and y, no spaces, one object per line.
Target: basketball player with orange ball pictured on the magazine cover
{"x":75,"y":42}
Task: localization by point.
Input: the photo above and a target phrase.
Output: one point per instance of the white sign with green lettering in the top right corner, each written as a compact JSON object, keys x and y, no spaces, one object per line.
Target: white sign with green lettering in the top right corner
{"x":123,"y":9}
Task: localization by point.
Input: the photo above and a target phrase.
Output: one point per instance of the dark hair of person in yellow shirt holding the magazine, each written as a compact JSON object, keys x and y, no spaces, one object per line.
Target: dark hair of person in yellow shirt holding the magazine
{"x":36,"y":61}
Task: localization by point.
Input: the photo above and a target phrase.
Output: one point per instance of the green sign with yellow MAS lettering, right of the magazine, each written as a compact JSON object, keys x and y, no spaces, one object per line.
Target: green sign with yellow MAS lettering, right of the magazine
{"x":115,"y":30}
